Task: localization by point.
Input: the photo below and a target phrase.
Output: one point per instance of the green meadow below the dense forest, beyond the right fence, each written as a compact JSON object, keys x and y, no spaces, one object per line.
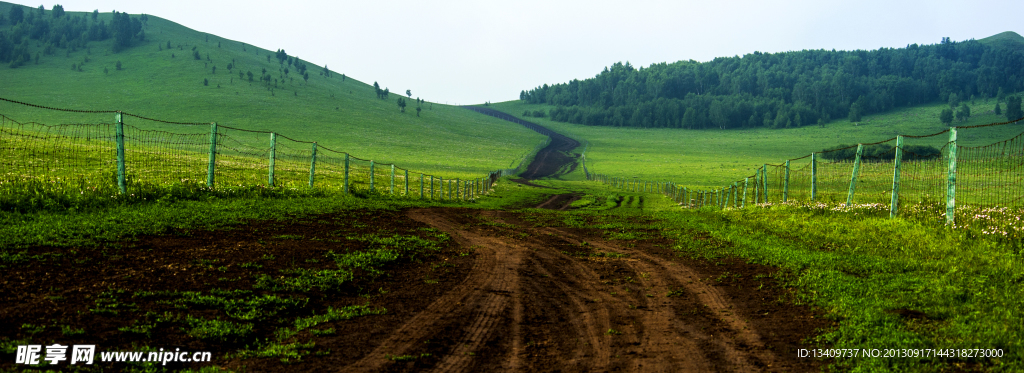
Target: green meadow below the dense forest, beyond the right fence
{"x":714,"y":158}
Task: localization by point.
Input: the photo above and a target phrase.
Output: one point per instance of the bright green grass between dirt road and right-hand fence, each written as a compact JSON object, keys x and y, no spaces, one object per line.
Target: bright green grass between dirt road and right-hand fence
{"x":905,"y":284}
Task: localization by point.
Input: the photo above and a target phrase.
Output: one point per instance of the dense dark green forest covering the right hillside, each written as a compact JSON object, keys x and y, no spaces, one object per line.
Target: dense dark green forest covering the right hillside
{"x":787,"y":90}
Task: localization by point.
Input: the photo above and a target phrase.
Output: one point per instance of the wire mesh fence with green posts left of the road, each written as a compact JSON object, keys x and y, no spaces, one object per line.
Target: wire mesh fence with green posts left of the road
{"x":223,"y":157}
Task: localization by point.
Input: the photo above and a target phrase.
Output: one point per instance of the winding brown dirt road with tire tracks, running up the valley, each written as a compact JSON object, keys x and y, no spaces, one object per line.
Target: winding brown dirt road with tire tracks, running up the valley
{"x":542,"y":299}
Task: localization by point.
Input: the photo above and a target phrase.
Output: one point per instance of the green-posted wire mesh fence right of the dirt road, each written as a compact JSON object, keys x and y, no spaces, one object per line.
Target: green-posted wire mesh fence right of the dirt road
{"x":888,"y":173}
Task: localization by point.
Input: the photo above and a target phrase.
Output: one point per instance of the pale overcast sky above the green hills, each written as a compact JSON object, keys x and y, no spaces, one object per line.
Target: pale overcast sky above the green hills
{"x":474,"y":52}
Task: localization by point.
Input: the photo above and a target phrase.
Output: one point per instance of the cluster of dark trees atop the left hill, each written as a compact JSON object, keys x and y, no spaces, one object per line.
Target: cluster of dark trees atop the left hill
{"x":56,"y":29}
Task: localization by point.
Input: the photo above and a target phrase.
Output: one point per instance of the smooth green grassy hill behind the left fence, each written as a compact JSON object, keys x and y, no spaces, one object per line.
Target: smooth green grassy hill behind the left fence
{"x":343,"y":114}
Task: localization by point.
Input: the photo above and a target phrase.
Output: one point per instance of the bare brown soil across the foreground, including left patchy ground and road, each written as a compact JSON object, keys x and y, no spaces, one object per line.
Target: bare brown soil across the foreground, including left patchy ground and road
{"x":510,"y":292}
